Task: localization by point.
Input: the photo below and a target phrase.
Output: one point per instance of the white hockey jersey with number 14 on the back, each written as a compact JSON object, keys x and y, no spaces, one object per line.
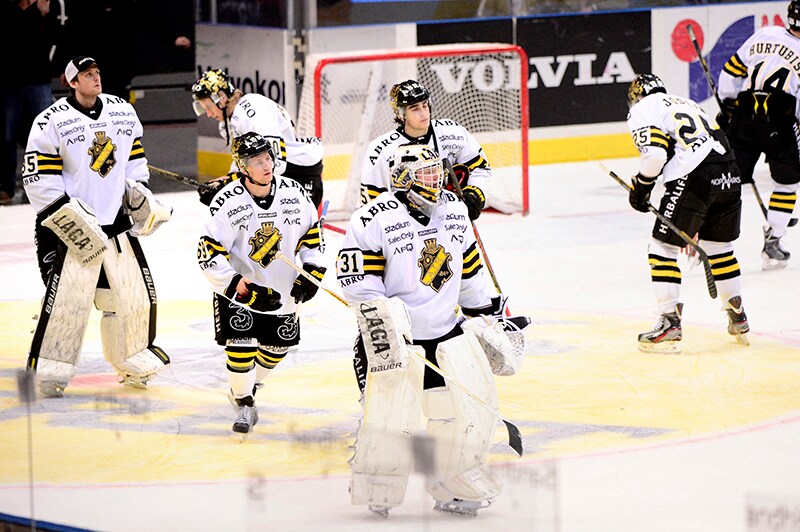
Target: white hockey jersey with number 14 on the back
{"x":769,"y":60}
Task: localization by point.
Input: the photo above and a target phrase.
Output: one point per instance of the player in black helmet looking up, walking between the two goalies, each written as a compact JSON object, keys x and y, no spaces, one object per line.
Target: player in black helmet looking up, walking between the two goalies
{"x":253,"y":218}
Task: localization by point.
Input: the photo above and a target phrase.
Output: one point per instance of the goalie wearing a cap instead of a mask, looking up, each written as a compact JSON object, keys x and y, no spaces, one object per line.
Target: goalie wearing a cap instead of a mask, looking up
{"x":85,"y":173}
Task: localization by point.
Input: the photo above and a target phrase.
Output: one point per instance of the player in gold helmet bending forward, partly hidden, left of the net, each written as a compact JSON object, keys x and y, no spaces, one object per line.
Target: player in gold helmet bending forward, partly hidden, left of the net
{"x":214,"y":95}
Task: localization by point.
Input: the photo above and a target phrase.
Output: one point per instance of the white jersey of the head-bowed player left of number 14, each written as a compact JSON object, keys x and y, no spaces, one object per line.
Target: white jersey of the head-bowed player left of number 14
{"x":676,"y":125}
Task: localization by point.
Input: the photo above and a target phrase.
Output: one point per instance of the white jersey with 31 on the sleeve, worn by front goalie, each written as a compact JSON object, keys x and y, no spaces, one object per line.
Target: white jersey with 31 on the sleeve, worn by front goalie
{"x":432,"y":268}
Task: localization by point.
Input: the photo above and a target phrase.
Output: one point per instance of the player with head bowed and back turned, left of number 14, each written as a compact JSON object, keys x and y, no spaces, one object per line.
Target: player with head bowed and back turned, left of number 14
{"x":702,"y":197}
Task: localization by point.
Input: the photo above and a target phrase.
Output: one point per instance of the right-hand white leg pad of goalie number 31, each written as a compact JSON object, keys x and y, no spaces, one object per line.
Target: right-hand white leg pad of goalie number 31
{"x":462,"y":428}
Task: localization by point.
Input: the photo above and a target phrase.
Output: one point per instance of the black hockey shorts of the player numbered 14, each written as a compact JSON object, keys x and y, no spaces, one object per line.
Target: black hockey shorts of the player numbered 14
{"x":778,"y":139}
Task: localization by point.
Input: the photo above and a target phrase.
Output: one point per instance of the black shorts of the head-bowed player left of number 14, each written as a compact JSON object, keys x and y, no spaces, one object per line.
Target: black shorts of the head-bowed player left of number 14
{"x":706,"y":202}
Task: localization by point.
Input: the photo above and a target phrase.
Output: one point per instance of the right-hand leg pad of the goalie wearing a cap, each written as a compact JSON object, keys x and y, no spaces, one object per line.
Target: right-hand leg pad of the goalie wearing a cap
{"x":129,"y":313}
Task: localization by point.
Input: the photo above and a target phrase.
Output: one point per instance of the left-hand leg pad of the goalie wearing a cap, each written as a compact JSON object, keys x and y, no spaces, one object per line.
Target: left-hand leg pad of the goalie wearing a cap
{"x":63,"y":318}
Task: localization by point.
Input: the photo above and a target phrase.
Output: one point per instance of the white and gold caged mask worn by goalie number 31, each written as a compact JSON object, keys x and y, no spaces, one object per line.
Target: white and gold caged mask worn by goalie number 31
{"x":418,"y":171}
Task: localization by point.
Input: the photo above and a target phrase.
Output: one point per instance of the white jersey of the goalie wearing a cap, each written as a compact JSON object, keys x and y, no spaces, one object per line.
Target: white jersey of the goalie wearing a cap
{"x":84,"y":157}
